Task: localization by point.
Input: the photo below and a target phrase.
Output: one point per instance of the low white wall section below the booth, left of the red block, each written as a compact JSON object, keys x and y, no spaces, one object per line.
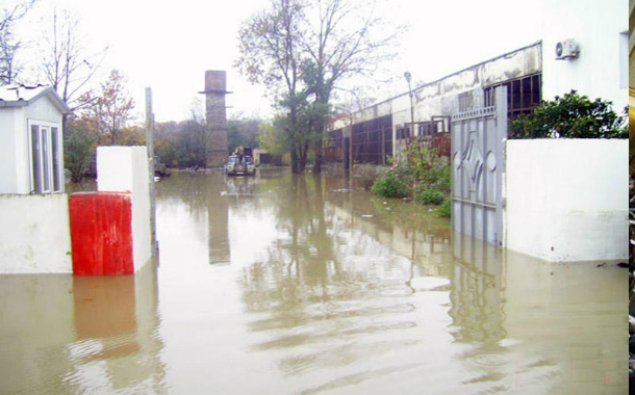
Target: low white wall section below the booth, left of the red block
{"x":34,"y":234}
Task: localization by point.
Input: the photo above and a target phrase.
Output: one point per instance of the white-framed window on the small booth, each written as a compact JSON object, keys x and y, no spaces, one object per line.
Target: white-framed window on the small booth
{"x":46,"y":157}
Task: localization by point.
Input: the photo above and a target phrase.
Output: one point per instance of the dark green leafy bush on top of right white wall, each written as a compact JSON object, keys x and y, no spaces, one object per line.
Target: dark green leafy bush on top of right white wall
{"x":570,"y":116}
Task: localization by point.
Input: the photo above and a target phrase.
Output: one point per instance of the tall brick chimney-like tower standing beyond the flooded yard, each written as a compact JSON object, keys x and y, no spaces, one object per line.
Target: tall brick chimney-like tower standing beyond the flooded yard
{"x":215,"y":91}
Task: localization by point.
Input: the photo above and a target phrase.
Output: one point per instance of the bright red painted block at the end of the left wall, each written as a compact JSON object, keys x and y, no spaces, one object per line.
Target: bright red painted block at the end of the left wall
{"x":101,"y":233}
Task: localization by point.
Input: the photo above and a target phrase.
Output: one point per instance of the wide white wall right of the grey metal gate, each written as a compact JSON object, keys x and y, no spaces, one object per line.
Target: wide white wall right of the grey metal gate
{"x":567,"y":199}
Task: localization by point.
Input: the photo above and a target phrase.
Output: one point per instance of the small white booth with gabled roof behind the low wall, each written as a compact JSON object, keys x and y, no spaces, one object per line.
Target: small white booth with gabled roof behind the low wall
{"x":31,"y":140}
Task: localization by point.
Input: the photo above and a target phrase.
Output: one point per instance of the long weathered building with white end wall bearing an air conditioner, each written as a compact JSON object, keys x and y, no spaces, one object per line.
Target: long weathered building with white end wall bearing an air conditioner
{"x":594,"y":40}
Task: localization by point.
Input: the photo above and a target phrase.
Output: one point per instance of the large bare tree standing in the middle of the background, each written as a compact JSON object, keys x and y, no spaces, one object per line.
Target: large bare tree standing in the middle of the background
{"x":310,"y":47}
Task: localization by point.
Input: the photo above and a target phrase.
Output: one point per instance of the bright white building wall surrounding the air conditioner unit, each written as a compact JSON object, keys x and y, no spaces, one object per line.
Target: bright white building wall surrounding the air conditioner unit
{"x":598,"y":71}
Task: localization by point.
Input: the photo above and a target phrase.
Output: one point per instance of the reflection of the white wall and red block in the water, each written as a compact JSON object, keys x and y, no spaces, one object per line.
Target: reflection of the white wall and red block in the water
{"x":65,"y":334}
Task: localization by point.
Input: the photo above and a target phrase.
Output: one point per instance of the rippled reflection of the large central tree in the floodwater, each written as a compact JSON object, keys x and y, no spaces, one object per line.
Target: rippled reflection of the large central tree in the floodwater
{"x":322,"y":297}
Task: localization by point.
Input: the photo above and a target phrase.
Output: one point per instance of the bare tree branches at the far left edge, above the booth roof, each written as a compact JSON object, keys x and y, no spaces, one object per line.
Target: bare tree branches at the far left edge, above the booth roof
{"x":9,"y":45}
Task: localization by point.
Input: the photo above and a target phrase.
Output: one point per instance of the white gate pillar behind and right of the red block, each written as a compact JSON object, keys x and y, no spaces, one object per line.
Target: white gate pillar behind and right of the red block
{"x":125,"y":169}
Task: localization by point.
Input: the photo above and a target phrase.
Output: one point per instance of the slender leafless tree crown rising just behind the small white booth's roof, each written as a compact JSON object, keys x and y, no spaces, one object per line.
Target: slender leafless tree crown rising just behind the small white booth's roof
{"x":66,"y":65}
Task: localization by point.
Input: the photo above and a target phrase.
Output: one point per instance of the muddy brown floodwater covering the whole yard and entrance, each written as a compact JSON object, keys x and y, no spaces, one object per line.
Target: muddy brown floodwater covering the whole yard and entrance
{"x":302,"y":285}
